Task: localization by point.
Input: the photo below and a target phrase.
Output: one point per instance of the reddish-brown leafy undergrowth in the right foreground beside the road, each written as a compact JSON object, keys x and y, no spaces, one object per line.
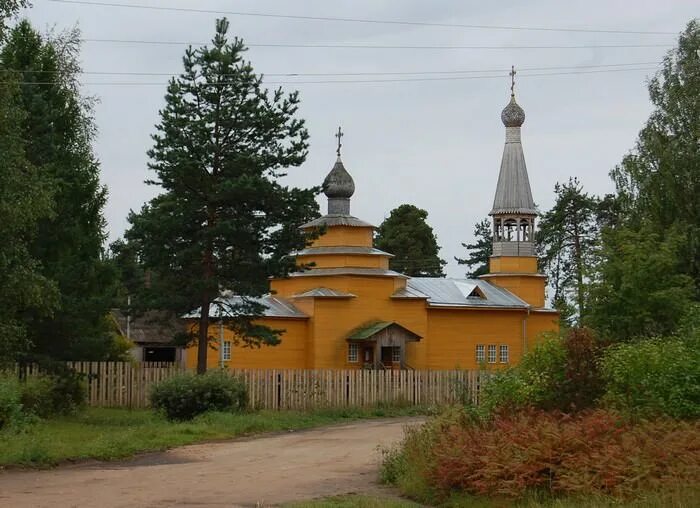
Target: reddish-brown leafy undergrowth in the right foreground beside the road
{"x":592,"y":453}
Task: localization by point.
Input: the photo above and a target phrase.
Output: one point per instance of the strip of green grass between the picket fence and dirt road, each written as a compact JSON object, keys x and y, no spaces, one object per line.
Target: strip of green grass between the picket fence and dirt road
{"x":110,"y":434}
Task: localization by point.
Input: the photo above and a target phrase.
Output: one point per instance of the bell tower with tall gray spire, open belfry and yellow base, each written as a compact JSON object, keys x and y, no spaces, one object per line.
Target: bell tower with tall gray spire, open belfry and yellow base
{"x":513,"y":264}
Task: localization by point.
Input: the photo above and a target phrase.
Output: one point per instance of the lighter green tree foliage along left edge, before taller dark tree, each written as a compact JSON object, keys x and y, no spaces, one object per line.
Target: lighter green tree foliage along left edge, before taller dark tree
{"x":25,"y":199}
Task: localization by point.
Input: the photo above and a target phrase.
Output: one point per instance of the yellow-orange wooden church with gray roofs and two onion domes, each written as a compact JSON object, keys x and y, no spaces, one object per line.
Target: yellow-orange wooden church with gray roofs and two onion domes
{"x":350,"y":311}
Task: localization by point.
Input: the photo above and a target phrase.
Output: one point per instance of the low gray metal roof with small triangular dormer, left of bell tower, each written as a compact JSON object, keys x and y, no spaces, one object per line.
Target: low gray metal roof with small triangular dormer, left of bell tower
{"x":455,"y":293}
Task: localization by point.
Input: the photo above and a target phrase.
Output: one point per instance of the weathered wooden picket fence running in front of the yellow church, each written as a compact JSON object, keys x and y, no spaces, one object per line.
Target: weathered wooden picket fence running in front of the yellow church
{"x":123,"y":384}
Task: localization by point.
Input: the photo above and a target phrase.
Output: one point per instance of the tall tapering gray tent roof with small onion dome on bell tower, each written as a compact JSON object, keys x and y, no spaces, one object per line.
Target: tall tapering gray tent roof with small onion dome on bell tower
{"x":513,"y":193}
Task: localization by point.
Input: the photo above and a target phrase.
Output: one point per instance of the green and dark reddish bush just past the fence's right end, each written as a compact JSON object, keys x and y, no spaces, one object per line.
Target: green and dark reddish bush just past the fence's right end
{"x":558,"y":374}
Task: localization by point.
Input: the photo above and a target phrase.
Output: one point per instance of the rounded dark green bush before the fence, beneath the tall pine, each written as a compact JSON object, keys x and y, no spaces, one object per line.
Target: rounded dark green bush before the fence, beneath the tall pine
{"x":185,"y":396}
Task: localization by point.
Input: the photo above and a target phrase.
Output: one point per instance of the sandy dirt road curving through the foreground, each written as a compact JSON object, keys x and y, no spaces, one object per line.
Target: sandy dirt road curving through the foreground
{"x":266,"y":470}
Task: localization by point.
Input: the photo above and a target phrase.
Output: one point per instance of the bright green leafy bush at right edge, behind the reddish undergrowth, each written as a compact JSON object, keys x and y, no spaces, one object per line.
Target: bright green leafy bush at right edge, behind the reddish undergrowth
{"x":654,"y":377}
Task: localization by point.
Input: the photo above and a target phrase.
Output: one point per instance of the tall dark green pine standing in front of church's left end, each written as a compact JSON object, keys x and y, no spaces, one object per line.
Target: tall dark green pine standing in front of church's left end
{"x":223,"y":221}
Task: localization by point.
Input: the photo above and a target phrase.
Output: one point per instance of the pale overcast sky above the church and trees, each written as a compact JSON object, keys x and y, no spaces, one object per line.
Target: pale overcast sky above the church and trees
{"x":434,"y":143}
